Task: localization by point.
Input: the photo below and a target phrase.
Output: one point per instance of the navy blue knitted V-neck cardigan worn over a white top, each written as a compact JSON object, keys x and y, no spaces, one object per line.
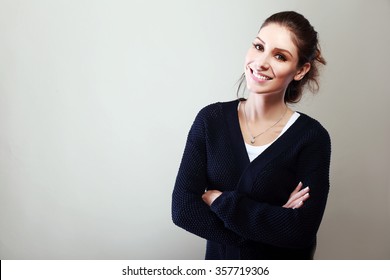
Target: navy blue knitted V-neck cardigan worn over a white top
{"x":248,"y":221}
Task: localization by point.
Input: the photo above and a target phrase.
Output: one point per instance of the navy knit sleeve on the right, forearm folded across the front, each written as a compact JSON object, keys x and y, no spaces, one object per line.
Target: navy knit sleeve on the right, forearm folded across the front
{"x":275,"y":225}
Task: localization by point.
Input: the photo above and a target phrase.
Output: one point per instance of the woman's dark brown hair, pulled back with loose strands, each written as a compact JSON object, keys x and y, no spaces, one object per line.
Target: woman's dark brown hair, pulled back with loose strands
{"x":306,"y":40}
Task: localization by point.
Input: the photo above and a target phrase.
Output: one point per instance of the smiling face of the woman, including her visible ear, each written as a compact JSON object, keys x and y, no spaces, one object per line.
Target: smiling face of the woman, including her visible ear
{"x":271,"y":62}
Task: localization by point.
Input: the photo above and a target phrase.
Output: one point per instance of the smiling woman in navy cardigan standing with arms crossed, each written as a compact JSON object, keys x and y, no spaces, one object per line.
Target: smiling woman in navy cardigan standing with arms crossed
{"x":240,"y":181}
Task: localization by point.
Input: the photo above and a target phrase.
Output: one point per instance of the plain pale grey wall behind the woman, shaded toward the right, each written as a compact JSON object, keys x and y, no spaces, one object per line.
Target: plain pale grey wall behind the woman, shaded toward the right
{"x":97,"y":97}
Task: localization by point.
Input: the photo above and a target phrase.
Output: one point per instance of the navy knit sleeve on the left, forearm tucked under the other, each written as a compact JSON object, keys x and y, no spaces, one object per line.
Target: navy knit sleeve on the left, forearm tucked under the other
{"x":188,"y":209}
